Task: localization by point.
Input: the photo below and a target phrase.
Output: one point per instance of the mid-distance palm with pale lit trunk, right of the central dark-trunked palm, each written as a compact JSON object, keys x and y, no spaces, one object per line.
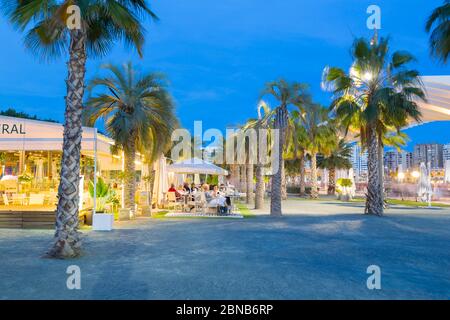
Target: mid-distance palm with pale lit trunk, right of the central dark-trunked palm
{"x":320,"y":137}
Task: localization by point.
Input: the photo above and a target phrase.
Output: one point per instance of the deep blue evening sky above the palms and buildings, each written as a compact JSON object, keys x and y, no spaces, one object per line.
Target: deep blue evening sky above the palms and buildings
{"x":219,"y":54}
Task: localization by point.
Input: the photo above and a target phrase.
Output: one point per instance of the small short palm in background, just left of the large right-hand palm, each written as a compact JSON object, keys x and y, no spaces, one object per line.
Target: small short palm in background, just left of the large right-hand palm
{"x":339,"y":158}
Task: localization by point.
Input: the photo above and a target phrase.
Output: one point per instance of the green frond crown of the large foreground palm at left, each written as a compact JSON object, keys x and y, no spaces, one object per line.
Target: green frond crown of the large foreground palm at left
{"x":102,"y":23}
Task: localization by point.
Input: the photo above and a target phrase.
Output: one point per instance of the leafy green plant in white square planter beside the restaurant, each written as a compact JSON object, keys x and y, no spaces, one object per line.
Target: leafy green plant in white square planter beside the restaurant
{"x":101,"y":221}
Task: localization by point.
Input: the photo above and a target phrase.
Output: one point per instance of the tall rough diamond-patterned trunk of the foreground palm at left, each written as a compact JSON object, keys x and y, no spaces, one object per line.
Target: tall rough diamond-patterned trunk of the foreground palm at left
{"x":67,"y":238}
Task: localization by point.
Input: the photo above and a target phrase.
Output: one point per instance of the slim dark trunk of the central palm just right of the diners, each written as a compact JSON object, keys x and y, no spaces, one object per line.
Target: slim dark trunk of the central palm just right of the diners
{"x":275,"y":194}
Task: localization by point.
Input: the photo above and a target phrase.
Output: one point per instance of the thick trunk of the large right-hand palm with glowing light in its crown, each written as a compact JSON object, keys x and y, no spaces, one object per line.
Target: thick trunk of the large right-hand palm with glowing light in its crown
{"x":374,"y":202}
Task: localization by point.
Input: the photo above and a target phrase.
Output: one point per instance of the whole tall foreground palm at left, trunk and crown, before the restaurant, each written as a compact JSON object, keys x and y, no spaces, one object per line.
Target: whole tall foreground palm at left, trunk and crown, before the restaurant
{"x":47,"y":35}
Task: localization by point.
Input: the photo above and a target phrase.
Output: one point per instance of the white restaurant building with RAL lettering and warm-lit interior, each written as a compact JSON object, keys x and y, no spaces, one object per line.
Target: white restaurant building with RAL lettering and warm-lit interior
{"x":30,"y":160}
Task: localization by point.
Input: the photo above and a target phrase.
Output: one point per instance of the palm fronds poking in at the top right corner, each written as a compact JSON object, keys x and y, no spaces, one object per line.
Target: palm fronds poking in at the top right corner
{"x":438,"y":25}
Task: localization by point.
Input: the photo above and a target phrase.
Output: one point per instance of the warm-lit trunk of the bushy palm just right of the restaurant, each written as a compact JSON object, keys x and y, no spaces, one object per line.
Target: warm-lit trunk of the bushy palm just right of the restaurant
{"x":130,"y":176}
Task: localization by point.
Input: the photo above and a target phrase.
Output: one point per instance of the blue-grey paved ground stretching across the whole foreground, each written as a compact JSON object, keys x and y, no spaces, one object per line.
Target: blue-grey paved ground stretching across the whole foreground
{"x":319,"y":250}
